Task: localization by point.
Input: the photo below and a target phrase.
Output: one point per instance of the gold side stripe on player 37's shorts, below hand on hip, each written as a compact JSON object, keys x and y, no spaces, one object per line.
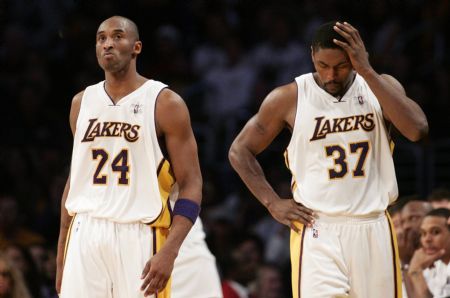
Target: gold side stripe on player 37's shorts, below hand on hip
{"x":296,"y":248}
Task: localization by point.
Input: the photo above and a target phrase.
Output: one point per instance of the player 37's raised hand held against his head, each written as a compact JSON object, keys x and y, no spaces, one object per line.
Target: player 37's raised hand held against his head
{"x":354,"y":47}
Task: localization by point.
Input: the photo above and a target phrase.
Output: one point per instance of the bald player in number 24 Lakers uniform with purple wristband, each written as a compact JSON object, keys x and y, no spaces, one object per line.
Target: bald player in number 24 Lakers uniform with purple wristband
{"x":115,"y":212}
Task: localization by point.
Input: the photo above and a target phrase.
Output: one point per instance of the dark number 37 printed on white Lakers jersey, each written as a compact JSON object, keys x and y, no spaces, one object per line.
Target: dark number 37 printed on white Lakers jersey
{"x":340,"y":163}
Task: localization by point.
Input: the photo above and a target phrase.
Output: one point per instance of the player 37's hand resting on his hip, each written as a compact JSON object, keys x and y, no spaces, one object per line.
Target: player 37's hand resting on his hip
{"x":287,"y":212}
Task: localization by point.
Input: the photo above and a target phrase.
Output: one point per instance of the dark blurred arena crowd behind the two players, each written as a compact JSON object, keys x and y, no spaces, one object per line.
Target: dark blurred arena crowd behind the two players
{"x":222,"y":57}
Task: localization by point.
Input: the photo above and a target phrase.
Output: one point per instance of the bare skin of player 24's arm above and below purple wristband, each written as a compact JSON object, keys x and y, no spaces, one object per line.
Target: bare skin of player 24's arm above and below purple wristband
{"x":173,"y":123}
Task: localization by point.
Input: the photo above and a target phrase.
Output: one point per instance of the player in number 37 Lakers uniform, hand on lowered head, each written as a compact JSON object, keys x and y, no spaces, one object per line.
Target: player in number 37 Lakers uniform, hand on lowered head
{"x":343,"y":179}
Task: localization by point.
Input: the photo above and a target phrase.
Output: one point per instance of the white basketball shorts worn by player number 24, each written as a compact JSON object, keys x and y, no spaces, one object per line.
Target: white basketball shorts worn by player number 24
{"x":105,"y":259}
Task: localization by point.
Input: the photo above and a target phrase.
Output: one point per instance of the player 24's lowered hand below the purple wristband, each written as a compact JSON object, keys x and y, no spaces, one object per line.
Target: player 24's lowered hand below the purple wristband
{"x":157,"y":272}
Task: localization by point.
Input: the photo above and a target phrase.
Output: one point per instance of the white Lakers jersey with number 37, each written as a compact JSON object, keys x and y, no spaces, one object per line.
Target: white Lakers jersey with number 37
{"x":339,"y":153}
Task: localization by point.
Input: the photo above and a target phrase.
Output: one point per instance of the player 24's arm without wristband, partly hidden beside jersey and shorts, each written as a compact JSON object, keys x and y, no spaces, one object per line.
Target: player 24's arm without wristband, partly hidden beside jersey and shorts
{"x":65,"y":217}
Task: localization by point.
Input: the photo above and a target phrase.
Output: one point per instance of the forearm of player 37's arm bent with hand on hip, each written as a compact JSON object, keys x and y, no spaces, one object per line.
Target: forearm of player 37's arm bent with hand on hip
{"x":247,"y":166}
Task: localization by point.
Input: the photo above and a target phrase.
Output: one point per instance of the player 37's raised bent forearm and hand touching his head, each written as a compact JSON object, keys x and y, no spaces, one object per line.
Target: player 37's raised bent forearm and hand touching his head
{"x":399,"y":109}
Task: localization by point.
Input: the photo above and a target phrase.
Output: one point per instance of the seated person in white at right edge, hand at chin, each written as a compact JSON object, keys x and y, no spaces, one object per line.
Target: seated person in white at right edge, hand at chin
{"x":429,"y":270}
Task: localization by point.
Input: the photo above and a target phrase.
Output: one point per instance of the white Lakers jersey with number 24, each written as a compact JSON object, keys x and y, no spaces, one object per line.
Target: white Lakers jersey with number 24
{"x":118,"y":171}
